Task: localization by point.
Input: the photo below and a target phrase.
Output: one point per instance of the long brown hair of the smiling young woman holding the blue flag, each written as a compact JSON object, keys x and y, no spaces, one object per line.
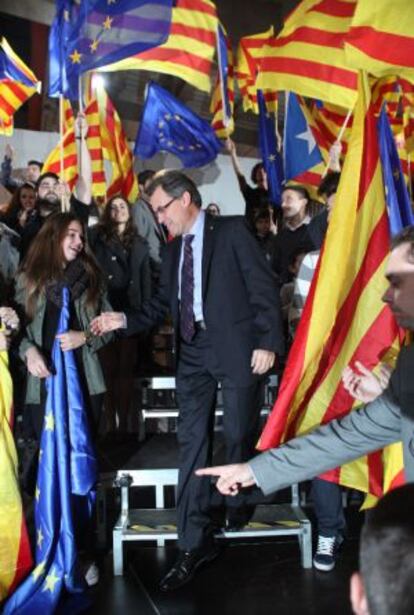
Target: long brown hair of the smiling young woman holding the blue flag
{"x":45,"y":261}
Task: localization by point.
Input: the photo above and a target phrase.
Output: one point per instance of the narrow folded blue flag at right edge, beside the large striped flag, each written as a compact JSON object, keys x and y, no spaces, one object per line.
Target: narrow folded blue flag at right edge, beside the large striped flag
{"x":397,"y":198}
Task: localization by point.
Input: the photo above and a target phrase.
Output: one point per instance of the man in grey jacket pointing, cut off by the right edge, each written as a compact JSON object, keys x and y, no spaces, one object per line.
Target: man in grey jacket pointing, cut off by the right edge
{"x":387,"y":419}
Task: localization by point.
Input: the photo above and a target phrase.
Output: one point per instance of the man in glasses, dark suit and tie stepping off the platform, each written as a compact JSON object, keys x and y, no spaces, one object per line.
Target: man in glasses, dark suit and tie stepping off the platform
{"x":223,"y":299}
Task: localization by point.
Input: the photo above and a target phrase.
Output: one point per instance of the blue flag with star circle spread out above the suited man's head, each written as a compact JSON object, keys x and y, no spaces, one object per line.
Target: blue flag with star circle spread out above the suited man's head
{"x":168,"y":125}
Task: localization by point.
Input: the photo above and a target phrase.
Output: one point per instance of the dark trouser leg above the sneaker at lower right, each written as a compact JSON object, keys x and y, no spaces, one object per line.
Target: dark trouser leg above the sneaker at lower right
{"x":327,"y":500}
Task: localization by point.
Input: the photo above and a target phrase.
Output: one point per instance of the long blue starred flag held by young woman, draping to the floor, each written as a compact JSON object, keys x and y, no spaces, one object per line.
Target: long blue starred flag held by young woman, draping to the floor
{"x":67,"y":466}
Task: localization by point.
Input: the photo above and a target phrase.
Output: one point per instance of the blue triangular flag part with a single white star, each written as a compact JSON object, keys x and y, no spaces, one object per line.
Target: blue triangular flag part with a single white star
{"x":300,"y":149}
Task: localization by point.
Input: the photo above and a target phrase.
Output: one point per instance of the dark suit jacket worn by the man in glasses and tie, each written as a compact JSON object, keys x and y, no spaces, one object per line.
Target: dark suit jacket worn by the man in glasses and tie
{"x":240,"y":297}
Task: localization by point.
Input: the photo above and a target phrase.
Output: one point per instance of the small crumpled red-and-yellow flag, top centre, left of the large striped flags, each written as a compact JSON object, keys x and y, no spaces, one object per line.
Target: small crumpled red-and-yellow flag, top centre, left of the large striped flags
{"x":248,"y":58}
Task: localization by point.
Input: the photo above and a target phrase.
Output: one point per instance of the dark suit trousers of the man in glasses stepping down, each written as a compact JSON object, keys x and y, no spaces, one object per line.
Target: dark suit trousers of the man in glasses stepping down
{"x":197,"y":377}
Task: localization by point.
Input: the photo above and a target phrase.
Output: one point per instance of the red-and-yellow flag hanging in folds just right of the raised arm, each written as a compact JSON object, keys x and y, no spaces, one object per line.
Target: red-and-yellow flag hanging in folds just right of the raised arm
{"x":116,"y":149}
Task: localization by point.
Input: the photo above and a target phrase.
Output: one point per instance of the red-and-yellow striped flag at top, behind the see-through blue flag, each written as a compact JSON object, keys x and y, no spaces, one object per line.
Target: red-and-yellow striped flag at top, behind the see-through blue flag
{"x":189,"y":50}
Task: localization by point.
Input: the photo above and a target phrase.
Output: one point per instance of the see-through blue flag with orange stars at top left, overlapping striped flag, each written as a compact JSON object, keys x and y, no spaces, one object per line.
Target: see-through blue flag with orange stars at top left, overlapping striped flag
{"x":107,"y":31}
